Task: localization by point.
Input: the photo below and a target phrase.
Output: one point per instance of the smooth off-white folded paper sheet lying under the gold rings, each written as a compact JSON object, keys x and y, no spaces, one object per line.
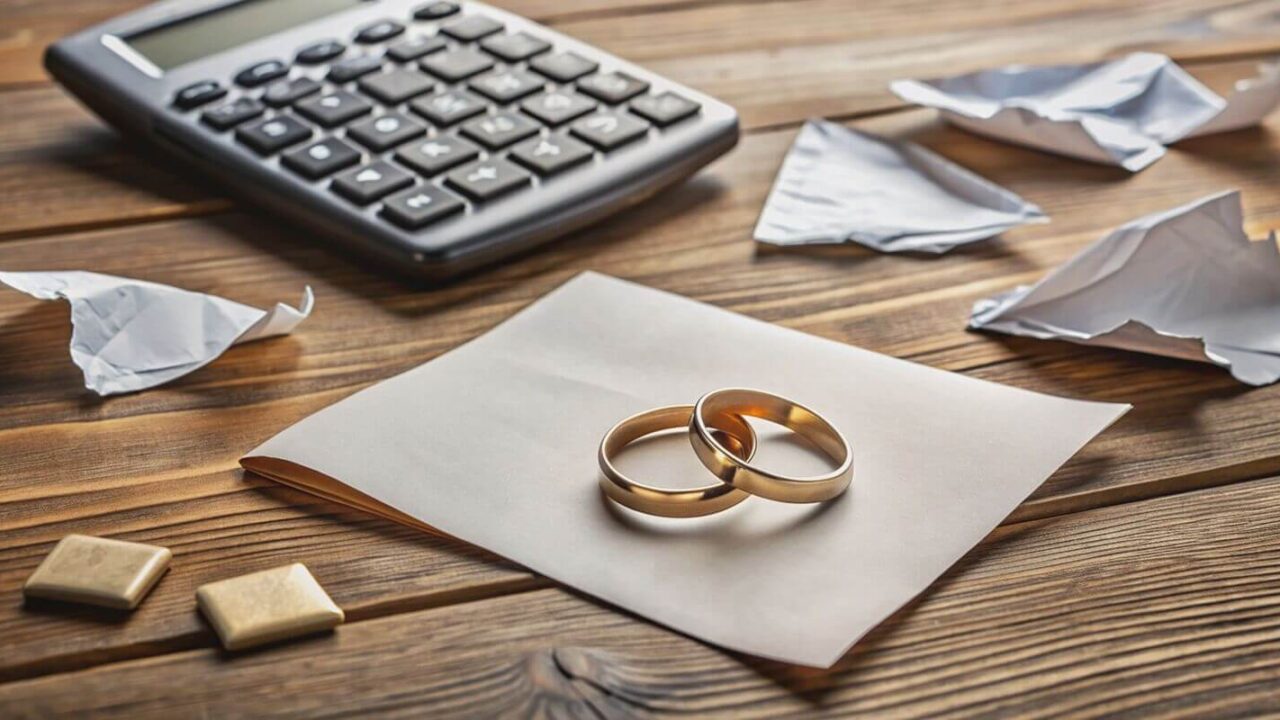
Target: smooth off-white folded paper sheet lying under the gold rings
{"x":496,"y":444}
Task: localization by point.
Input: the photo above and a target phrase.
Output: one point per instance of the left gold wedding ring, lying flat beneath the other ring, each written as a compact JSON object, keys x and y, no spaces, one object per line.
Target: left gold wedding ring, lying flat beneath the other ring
{"x":737,"y":439}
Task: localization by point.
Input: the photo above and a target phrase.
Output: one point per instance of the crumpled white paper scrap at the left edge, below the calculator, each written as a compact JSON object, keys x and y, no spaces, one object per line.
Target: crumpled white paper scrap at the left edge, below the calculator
{"x":132,"y":335}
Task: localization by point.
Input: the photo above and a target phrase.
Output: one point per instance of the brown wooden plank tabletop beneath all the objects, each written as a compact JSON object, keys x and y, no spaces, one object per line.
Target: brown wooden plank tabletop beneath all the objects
{"x":1144,"y":578}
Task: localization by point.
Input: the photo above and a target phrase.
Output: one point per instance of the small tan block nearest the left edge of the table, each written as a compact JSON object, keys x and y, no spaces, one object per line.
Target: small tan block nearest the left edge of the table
{"x":99,"y":572}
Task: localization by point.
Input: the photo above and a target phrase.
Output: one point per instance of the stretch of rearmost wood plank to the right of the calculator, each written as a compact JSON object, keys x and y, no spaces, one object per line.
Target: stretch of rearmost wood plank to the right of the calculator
{"x":785,"y":62}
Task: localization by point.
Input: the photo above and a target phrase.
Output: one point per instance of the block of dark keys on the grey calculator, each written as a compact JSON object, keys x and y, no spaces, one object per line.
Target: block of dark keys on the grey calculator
{"x":428,"y":122}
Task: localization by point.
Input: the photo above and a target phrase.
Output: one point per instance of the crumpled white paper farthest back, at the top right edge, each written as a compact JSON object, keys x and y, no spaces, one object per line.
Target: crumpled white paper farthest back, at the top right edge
{"x":1118,"y":113}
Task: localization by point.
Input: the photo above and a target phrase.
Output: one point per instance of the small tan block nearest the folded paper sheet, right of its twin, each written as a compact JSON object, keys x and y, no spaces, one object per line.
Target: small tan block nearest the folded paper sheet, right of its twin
{"x":268,"y":607}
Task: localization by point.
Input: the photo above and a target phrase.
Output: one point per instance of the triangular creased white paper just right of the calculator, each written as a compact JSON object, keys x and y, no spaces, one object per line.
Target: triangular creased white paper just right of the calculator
{"x":839,"y":185}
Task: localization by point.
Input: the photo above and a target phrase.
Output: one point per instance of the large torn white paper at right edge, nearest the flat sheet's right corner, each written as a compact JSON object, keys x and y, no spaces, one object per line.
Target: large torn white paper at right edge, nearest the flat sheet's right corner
{"x":1185,"y":284}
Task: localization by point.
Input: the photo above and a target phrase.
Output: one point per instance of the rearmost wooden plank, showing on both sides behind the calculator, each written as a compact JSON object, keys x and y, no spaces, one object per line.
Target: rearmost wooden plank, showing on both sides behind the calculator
{"x":836,"y":54}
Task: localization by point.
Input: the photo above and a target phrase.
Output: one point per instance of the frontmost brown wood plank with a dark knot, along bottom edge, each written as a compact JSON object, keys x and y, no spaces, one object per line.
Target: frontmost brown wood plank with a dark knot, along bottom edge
{"x":1165,"y":608}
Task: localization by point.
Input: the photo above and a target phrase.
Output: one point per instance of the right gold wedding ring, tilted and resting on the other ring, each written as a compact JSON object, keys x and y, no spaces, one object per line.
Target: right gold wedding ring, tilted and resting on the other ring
{"x":739,"y":472}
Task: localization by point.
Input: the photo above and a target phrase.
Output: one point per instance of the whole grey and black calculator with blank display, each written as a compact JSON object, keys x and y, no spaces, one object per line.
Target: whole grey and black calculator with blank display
{"x":436,"y":136}
